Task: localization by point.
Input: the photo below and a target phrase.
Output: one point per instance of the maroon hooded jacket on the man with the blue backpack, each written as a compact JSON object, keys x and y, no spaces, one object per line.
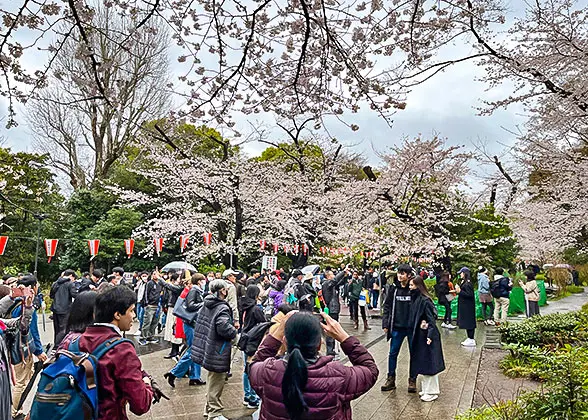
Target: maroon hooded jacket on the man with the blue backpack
{"x":120,"y":376}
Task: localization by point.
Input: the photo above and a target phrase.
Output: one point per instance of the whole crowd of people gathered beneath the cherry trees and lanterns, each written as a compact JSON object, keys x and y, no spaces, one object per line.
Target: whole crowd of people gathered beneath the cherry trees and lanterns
{"x":276,"y":320}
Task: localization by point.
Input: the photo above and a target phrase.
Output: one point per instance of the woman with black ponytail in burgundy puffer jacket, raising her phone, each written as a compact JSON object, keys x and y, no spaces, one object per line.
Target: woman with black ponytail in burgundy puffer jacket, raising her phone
{"x":303,"y":384}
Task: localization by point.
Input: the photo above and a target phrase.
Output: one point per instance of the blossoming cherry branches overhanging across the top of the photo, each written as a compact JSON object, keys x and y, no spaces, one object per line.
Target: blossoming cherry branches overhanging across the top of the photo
{"x":317,"y":57}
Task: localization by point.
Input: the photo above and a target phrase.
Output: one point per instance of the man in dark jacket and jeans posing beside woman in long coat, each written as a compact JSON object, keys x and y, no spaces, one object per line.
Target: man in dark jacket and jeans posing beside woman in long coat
{"x":395,"y":323}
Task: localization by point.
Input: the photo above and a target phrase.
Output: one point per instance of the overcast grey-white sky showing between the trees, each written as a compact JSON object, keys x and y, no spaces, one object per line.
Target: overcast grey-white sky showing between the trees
{"x":445,"y":104}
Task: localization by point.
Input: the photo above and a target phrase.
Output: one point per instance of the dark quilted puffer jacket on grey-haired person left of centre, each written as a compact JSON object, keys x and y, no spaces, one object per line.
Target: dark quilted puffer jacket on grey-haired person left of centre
{"x":213,"y":333}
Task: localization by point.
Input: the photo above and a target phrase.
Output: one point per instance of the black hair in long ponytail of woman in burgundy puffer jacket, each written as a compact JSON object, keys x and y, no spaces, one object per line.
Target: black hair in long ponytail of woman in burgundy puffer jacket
{"x":303,"y":335}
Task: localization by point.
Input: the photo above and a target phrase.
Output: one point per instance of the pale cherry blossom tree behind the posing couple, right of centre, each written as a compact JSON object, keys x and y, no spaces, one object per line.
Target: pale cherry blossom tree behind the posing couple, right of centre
{"x":409,"y":206}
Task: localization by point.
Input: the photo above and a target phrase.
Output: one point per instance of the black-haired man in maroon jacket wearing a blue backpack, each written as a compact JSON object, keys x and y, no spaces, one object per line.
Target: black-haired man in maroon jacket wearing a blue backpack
{"x":121,"y":379}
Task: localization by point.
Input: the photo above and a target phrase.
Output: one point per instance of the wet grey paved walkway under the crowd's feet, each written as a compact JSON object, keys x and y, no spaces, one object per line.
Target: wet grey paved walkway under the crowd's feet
{"x":457,"y":382}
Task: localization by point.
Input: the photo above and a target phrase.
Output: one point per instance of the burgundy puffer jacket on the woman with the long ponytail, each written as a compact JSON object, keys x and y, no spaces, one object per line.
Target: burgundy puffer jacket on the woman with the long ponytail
{"x":330,"y":388}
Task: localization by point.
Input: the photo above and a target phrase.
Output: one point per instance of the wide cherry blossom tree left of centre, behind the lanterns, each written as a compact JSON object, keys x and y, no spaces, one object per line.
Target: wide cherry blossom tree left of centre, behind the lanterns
{"x":239,"y":200}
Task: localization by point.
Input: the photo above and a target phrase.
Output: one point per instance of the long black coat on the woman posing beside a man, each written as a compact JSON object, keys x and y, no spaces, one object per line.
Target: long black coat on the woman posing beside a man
{"x":425,"y":359}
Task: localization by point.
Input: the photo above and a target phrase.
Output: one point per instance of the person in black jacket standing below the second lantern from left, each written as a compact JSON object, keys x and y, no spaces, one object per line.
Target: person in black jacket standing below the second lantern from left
{"x":62,"y":292}
